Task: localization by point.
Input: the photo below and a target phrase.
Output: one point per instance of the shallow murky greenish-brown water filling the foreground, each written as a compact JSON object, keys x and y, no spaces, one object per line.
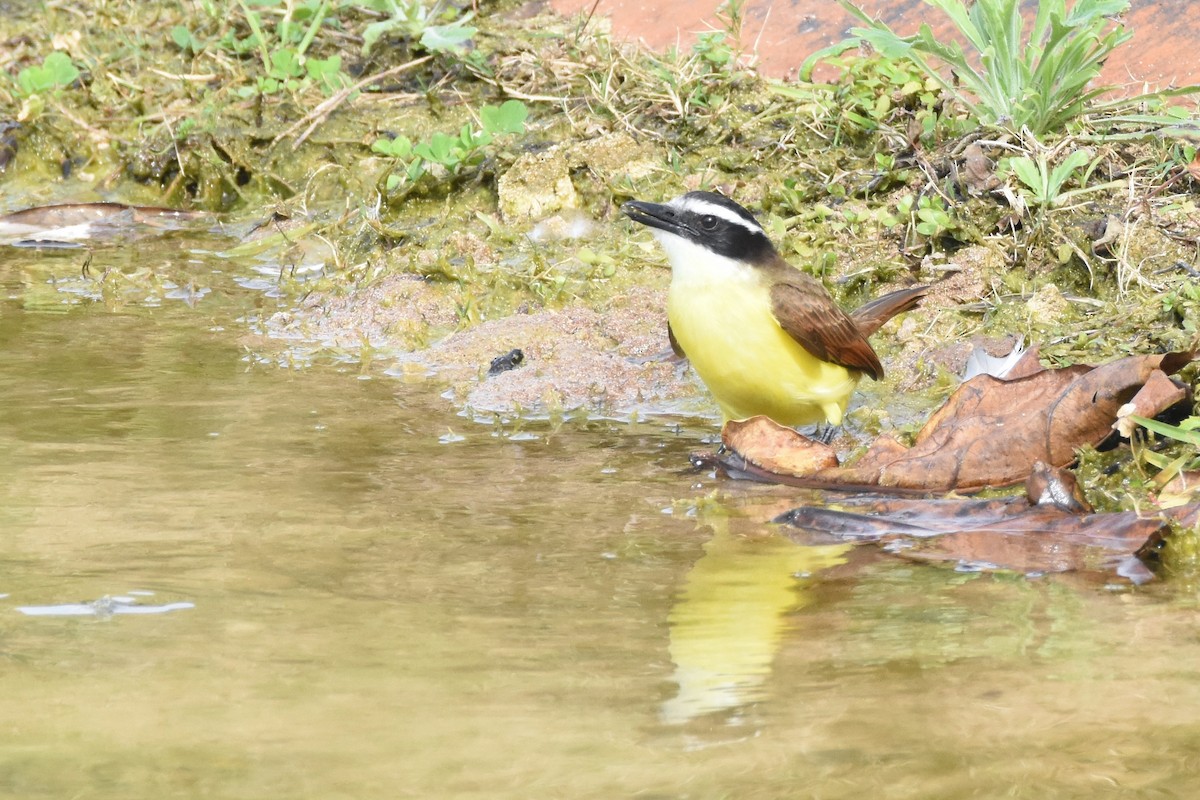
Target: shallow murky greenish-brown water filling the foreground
{"x":358,"y":606}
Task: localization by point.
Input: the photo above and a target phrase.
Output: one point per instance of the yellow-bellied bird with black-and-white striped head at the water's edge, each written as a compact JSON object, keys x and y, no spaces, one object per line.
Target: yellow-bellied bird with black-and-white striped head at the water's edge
{"x":765,"y":338}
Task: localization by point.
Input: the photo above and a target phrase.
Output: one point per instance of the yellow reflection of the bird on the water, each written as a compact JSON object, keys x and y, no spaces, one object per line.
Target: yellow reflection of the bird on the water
{"x":729,"y":619}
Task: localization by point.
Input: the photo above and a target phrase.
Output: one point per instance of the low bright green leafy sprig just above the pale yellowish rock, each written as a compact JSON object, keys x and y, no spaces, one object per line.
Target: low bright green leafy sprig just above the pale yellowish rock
{"x":451,"y":153}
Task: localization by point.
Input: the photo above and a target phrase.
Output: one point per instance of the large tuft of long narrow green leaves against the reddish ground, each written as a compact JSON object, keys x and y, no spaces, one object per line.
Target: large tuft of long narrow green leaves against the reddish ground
{"x":1012,"y":81}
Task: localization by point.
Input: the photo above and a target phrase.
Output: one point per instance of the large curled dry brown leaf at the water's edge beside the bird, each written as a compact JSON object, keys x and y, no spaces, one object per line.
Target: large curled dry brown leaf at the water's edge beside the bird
{"x":989,"y":434}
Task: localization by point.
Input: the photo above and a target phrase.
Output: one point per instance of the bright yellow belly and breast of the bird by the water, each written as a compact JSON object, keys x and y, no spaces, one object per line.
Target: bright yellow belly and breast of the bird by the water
{"x":749,"y":364}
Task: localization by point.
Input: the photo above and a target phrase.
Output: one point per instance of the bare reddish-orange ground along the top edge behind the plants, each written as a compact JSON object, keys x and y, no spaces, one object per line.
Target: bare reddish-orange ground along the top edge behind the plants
{"x":783,"y":33}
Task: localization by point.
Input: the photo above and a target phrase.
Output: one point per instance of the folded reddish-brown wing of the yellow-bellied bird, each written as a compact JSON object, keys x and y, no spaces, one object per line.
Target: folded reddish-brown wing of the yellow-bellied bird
{"x":807,"y":312}
